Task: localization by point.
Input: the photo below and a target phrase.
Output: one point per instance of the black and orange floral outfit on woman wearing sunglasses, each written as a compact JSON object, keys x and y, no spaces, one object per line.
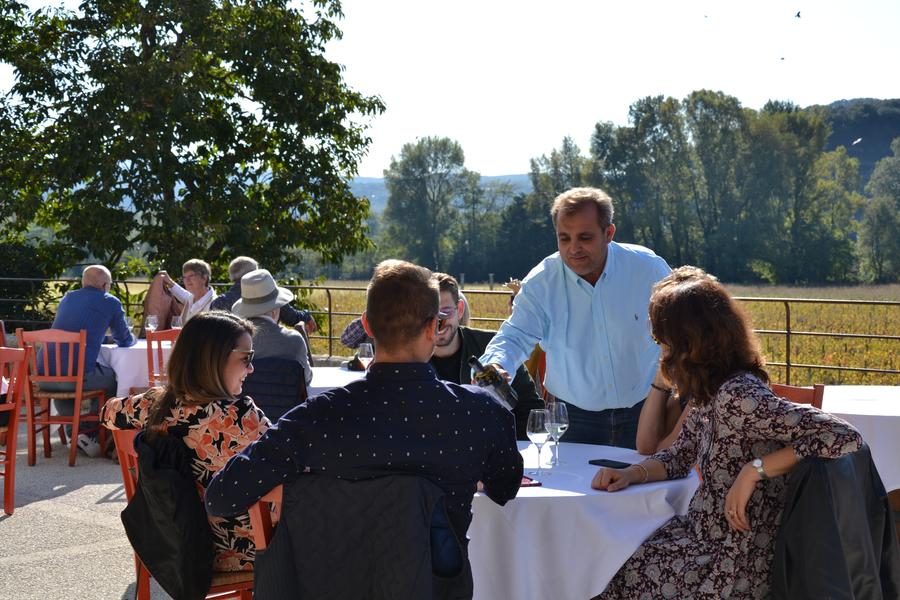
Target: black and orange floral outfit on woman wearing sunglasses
{"x":212,"y":433}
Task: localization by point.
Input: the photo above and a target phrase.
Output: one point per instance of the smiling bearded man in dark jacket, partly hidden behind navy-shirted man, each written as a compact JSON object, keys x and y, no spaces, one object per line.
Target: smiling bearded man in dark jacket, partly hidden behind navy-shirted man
{"x":456,"y":343}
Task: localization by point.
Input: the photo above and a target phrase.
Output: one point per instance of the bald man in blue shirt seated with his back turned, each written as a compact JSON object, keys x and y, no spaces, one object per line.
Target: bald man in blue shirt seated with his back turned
{"x":94,"y":309}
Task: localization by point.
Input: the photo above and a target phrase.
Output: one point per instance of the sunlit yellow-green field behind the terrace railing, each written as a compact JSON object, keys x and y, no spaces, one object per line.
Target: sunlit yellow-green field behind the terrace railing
{"x":344,"y":300}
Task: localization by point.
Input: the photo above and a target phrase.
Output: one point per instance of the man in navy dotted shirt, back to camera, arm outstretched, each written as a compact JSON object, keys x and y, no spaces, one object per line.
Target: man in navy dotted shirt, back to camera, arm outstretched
{"x":399,"y":419}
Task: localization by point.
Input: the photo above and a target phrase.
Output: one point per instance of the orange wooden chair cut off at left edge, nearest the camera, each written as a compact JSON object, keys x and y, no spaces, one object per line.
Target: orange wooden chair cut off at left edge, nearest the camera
{"x":12,"y":369}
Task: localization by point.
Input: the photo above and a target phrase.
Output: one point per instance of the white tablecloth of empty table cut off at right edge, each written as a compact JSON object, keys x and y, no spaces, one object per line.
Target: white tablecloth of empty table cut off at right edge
{"x":875,"y":411}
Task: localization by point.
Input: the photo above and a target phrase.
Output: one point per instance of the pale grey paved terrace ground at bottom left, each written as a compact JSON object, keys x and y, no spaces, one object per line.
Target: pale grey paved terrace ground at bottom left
{"x":65,"y":539}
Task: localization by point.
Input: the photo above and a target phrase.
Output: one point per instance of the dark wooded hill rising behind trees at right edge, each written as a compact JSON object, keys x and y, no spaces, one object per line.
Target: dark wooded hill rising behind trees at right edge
{"x":871,"y":121}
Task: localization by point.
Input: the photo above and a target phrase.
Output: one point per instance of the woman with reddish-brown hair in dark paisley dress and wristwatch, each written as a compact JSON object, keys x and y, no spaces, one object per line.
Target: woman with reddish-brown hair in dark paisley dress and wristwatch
{"x":744,"y":439}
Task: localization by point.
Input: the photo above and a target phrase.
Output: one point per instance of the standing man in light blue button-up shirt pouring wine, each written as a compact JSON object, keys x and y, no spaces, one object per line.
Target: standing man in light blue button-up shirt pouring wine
{"x":587,"y":307}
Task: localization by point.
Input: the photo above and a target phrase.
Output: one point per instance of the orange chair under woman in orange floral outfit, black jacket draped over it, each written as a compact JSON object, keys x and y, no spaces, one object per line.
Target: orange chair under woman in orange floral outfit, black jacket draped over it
{"x":238,"y":585}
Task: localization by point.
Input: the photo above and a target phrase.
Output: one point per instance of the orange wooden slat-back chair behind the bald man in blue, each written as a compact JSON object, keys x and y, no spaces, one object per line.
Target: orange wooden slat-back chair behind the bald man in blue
{"x":56,"y":350}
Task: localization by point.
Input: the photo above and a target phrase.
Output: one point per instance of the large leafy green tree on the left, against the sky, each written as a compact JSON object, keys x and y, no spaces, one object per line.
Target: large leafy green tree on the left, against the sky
{"x":183,"y":127}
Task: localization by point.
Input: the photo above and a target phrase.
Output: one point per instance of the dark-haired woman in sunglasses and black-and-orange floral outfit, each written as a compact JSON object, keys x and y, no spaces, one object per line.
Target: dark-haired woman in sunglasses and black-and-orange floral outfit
{"x":202,"y":405}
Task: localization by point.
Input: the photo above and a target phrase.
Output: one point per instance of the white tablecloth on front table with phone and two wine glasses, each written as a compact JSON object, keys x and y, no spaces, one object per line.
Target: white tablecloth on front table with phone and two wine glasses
{"x":565,"y":540}
